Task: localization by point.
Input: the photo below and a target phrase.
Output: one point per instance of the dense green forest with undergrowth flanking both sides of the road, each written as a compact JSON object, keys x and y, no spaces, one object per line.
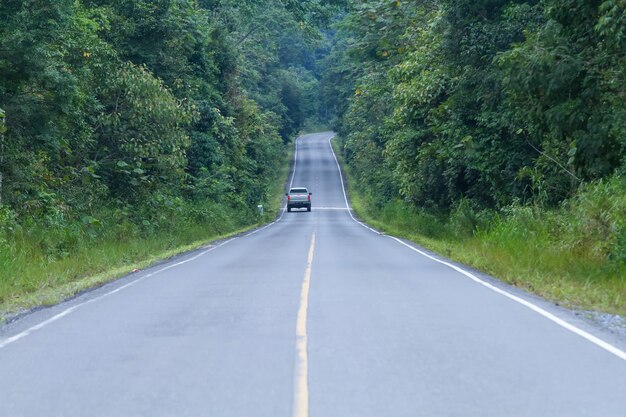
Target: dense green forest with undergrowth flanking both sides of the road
{"x":502,"y":120}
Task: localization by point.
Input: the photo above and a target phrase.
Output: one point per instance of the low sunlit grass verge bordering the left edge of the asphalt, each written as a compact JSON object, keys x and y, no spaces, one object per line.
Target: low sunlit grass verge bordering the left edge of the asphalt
{"x":32,"y":278}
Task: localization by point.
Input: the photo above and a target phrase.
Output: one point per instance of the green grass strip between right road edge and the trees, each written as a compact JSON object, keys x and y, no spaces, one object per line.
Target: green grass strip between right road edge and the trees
{"x":574,"y":255}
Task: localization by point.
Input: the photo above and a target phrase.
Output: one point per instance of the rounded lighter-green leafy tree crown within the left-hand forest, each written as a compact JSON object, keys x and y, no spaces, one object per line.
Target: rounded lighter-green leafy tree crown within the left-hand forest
{"x":139,"y":141}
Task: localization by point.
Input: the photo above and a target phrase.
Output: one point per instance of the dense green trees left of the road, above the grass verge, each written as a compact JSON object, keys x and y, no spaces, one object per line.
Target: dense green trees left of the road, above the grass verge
{"x":120,"y":104}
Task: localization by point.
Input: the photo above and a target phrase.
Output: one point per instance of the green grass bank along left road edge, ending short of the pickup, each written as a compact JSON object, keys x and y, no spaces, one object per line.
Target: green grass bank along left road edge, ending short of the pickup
{"x":32,"y":273}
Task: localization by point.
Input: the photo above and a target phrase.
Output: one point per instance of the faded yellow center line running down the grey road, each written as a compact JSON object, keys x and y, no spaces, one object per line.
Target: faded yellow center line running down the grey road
{"x":301,"y":379}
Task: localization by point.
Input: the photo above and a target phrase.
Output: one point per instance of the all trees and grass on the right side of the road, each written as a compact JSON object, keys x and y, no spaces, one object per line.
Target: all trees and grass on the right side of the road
{"x":493,"y":132}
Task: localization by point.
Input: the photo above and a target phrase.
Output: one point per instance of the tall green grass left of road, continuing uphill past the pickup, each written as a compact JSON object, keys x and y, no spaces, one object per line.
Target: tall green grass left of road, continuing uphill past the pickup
{"x":45,"y":264}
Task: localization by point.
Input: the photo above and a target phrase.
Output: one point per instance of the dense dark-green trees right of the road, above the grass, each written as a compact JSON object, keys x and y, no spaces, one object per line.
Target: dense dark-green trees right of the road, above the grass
{"x":493,"y":101}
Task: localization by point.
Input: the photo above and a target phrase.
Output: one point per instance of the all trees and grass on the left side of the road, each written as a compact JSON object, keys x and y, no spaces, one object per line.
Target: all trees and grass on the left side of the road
{"x":131,"y":130}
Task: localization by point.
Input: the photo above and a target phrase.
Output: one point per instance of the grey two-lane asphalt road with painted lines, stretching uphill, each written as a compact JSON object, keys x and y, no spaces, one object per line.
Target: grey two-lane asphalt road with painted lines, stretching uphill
{"x":313,"y":315}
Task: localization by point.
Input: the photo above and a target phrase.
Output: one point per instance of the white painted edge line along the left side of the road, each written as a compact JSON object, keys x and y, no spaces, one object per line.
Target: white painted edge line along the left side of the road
{"x":69,"y":310}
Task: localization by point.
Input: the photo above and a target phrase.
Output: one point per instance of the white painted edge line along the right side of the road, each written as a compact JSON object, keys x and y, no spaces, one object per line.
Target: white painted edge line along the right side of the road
{"x":588,"y":336}
